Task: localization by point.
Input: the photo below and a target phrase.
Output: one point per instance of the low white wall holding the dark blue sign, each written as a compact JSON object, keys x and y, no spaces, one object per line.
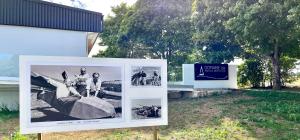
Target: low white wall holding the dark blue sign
{"x":188,"y":78}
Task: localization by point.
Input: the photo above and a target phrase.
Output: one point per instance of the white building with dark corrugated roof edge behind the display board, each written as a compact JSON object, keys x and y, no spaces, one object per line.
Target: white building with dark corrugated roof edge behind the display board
{"x":40,"y":28}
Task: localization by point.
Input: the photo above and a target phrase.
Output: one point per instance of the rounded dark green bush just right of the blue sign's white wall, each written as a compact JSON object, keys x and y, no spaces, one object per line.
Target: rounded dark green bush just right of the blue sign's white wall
{"x":250,"y":72}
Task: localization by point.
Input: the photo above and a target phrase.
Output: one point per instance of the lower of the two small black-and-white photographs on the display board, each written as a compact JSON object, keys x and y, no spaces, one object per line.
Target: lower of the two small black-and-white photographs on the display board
{"x":145,"y":109}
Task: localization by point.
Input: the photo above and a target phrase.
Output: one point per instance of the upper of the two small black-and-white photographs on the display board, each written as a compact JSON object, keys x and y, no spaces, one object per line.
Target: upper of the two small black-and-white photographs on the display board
{"x":145,"y":76}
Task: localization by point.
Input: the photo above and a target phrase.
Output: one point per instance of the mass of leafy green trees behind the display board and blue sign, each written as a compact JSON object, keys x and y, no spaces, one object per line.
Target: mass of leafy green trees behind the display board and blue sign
{"x":207,"y":31}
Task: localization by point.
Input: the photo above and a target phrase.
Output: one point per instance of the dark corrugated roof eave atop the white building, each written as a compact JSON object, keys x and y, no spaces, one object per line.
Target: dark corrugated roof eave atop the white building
{"x":41,"y":14}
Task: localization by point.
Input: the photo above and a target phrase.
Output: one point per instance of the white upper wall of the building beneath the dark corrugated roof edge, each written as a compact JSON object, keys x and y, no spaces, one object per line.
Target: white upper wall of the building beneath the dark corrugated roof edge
{"x":40,"y":41}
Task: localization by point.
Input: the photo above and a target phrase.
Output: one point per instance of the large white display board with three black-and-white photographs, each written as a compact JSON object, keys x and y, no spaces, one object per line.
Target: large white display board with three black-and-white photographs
{"x":78,"y":93}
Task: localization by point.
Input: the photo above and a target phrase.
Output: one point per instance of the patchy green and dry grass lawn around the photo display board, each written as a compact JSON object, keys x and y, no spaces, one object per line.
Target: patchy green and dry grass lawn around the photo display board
{"x":248,"y":115}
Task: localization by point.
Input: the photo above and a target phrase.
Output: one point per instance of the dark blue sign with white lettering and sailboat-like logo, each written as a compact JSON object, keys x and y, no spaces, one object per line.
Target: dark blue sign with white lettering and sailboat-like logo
{"x":211,"y":71}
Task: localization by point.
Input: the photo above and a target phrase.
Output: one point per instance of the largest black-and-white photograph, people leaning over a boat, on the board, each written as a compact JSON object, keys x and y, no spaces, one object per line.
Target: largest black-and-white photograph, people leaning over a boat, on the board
{"x":64,"y":93}
